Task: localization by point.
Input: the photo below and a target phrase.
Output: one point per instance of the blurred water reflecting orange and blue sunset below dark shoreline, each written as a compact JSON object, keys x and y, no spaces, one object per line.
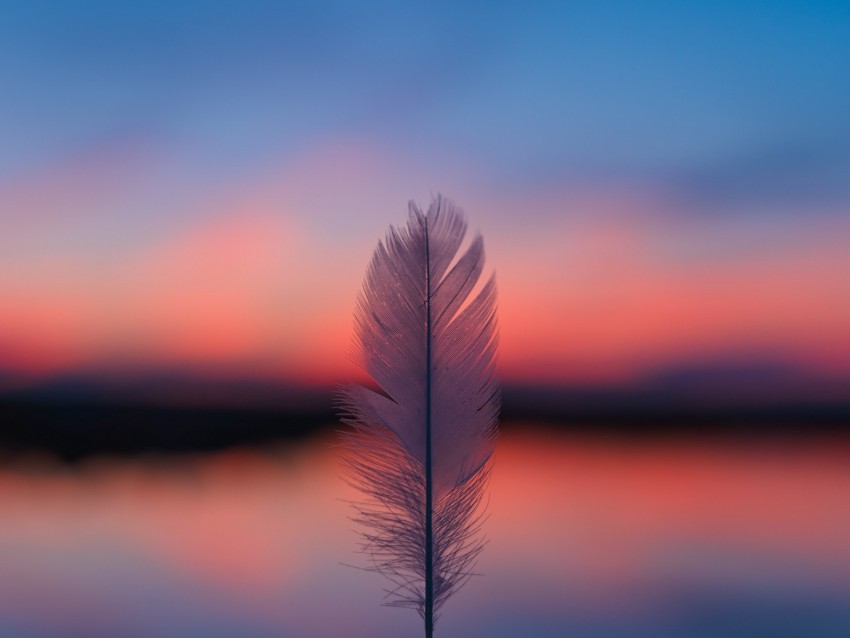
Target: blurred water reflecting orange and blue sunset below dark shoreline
{"x":588,"y":537}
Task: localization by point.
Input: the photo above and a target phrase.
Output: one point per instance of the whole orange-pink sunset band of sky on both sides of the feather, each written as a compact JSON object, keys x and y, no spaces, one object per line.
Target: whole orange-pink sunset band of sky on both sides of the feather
{"x":594,"y":287}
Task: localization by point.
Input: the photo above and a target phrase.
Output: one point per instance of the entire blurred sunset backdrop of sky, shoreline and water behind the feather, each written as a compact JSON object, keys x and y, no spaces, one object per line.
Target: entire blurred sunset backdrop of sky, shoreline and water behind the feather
{"x":189,"y":196}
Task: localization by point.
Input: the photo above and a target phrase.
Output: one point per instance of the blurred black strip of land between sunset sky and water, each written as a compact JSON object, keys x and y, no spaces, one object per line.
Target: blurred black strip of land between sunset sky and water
{"x":73,"y":417}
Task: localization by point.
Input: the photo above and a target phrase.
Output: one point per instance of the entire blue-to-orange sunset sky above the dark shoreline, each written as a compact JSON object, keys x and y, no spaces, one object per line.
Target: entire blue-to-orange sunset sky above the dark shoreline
{"x":198,"y":186}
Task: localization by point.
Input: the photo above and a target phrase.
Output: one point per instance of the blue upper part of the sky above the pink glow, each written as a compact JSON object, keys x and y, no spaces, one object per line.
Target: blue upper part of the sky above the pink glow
{"x":556,"y":91}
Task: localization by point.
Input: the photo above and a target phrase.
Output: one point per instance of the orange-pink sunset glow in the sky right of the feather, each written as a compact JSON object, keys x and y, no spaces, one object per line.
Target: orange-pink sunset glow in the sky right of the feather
{"x":606,"y":298}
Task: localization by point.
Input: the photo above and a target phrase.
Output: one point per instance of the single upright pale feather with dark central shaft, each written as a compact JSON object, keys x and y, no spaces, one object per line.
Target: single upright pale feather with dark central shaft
{"x":419,"y":444}
